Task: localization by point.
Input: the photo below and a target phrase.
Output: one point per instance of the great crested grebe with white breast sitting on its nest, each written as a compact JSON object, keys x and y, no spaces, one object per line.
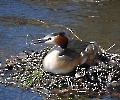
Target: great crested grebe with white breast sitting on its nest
{"x":67,"y":54}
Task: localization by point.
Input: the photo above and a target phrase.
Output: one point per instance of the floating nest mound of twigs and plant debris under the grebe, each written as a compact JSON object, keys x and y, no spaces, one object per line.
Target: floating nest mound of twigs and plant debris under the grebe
{"x":25,"y":70}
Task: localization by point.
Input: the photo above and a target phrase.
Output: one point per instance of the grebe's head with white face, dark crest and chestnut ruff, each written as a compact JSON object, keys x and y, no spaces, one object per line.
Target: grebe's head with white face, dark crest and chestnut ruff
{"x":55,"y":38}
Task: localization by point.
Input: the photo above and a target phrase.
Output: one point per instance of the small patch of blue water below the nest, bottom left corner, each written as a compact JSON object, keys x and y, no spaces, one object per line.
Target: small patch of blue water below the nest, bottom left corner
{"x":17,"y":94}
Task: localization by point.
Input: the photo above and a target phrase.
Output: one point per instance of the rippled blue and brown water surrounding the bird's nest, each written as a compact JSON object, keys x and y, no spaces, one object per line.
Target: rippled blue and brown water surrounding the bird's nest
{"x":91,"y":20}
